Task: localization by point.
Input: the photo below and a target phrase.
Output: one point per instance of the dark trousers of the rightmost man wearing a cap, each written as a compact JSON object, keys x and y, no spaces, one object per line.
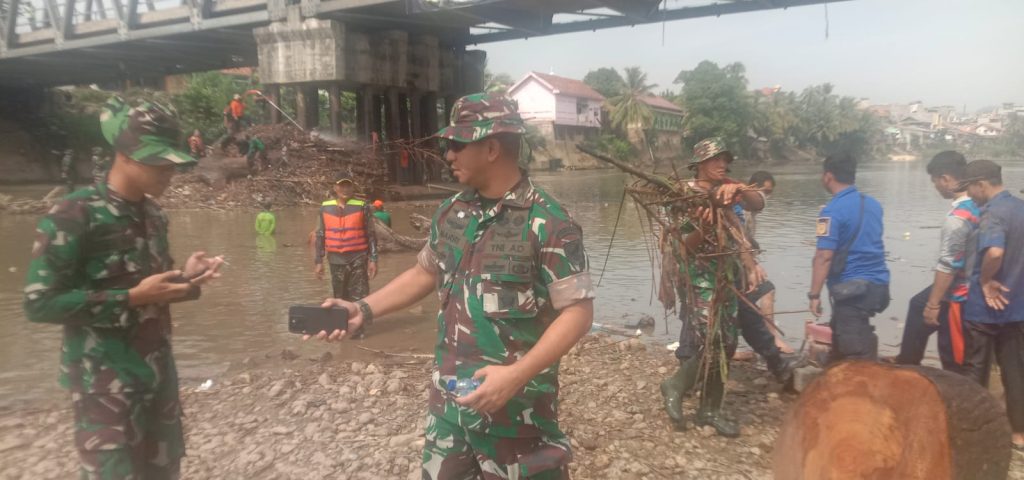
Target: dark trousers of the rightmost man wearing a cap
{"x":1007,"y":340}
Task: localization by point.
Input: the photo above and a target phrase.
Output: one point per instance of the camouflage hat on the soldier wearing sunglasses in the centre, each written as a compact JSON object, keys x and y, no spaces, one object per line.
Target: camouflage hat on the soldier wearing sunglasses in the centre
{"x":482,"y":115}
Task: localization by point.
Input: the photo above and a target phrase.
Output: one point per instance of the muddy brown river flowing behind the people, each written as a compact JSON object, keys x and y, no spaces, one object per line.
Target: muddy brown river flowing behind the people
{"x":243,"y":315}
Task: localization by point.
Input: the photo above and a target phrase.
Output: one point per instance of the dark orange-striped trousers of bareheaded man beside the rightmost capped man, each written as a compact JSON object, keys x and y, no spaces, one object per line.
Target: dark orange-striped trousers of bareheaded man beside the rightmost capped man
{"x":916,"y":334}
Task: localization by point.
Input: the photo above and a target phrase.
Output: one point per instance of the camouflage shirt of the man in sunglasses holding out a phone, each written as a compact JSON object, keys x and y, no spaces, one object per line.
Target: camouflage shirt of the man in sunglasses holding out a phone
{"x":503,"y":275}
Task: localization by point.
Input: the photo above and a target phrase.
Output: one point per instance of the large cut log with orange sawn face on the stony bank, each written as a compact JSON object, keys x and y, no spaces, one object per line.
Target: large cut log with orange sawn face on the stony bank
{"x":873,"y":421}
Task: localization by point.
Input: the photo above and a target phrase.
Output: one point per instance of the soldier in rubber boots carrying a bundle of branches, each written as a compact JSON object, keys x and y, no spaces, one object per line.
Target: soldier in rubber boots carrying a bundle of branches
{"x":708,"y":338}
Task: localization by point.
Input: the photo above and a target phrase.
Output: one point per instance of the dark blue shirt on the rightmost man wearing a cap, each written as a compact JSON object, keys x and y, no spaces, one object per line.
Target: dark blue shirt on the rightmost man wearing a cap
{"x":1002,"y":227}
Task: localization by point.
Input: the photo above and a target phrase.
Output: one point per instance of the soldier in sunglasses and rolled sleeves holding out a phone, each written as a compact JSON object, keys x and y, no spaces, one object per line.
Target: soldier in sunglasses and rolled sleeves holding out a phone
{"x":509,"y":267}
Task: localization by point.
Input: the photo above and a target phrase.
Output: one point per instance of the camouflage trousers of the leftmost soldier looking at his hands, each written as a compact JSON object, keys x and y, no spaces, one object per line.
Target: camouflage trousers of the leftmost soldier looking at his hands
{"x":130,"y":435}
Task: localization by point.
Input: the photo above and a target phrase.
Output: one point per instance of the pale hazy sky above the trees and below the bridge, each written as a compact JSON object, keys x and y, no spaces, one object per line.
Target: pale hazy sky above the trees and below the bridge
{"x":944,"y":53}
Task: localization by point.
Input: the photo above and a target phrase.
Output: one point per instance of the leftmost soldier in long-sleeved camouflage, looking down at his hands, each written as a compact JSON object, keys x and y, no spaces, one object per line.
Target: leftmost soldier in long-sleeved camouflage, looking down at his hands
{"x":102,"y":269}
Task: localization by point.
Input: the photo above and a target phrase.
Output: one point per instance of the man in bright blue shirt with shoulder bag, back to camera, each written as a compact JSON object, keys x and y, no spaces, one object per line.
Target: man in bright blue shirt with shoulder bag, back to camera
{"x":851,"y":256}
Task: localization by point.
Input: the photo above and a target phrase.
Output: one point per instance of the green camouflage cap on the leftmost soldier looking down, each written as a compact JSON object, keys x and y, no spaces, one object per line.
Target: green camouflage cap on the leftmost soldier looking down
{"x":149,"y":134}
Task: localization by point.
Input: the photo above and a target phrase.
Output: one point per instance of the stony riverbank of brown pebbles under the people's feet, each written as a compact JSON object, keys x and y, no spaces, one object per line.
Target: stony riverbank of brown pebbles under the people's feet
{"x":285,"y":417}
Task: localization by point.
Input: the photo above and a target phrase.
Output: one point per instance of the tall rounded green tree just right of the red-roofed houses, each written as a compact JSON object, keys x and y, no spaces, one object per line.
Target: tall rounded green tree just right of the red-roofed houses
{"x":718,"y":104}
